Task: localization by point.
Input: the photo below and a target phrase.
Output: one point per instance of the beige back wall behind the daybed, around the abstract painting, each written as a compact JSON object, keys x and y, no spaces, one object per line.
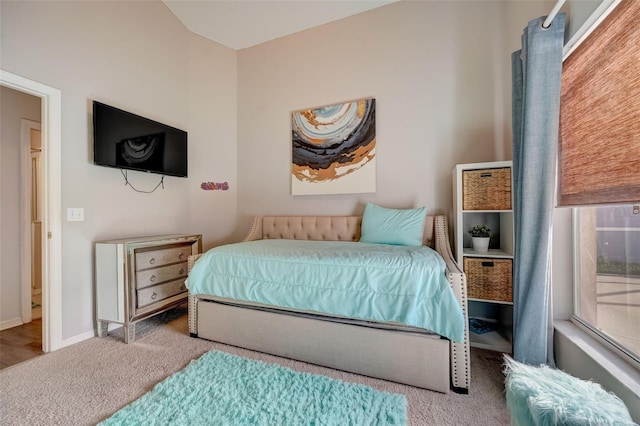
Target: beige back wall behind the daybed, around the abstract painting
{"x":433,"y":69}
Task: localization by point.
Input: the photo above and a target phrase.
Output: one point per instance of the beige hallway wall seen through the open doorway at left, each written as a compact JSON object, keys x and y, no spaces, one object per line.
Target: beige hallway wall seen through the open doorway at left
{"x":14,"y":106}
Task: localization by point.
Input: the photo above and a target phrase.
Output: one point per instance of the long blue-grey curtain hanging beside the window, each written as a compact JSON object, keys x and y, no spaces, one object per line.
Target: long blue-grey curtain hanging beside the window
{"x":537,"y":70}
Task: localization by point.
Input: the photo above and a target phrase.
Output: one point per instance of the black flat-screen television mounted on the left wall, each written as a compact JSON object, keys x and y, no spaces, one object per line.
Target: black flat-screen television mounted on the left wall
{"x":128,"y":141}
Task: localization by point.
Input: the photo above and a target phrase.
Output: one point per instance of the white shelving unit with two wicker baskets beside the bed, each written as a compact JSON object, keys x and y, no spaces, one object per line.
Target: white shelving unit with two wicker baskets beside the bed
{"x":483,"y":196}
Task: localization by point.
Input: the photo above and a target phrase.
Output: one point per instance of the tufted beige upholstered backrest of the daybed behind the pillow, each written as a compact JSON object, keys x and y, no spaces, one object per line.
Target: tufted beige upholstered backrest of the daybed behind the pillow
{"x":321,"y":228}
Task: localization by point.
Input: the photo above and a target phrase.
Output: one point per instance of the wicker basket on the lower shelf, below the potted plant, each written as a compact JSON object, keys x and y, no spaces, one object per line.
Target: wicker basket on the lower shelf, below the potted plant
{"x":489,"y":279}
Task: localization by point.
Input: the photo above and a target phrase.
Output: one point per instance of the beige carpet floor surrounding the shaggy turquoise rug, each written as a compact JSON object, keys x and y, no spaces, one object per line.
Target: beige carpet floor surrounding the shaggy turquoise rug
{"x":87,"y":382}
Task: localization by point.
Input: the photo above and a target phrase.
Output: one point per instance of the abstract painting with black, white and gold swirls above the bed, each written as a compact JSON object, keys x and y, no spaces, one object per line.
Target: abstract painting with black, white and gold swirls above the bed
{"x":334,"y":149}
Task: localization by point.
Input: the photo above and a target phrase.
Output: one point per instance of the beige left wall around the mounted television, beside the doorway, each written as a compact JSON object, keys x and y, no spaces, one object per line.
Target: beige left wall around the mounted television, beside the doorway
{"x":136,"y":56}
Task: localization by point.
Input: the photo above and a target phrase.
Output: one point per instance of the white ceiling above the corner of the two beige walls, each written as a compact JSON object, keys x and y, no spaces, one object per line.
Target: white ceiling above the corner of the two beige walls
{"x":244,"y":23}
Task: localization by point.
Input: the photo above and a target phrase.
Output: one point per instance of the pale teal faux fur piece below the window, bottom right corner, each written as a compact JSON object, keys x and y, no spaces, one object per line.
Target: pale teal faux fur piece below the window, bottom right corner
{"x":545,"y":396}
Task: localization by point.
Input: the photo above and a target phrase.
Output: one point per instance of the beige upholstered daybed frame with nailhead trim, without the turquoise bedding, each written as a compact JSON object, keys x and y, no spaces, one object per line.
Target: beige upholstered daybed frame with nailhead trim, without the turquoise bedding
{"x":403,"y":356}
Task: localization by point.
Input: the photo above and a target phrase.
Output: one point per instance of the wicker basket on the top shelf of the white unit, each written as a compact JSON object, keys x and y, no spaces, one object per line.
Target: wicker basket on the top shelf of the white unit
{"x":486,"y":189}
